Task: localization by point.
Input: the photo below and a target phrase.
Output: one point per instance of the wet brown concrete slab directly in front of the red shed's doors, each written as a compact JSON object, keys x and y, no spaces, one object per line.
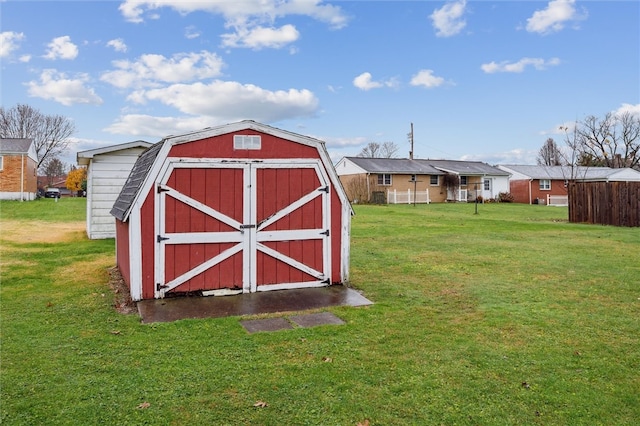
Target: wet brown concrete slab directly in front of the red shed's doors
{"x":176,"y":308}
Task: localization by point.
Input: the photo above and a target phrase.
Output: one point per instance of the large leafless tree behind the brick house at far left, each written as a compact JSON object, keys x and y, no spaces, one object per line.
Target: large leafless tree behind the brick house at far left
{"x":50,"y":133}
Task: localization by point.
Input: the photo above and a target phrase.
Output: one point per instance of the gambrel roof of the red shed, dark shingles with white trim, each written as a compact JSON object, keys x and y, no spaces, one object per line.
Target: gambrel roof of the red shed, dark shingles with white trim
{"x":141,"y":170}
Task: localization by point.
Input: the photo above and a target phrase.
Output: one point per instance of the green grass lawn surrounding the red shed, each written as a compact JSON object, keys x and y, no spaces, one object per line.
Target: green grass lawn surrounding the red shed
{"x":510,"y":316}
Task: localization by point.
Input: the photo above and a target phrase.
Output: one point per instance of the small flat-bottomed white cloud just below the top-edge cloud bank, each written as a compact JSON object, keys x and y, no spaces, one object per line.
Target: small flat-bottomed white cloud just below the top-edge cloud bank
{"x":258,"y":37}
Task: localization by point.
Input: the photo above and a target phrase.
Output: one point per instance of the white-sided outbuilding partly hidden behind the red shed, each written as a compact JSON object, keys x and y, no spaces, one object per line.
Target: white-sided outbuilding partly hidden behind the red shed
{"x":106,"y":175}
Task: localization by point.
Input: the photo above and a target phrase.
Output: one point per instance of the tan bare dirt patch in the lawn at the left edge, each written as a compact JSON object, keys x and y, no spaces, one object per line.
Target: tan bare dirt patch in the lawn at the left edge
{"x":41,"y":232}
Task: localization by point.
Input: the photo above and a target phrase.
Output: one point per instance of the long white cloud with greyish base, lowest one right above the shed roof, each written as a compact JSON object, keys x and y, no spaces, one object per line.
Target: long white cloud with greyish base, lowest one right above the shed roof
{"x":232,"y":101}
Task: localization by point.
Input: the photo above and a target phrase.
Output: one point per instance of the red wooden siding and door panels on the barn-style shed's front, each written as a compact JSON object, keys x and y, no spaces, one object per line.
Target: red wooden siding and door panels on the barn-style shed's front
{"x":191,"y":182}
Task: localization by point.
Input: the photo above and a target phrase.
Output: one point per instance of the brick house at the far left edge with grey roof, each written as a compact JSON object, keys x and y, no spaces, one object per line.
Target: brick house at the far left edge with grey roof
{"x":18,"y":165}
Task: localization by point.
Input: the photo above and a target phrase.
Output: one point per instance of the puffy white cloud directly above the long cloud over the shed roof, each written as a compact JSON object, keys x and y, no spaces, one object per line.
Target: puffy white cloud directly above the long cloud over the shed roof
{"x":150,"y":70}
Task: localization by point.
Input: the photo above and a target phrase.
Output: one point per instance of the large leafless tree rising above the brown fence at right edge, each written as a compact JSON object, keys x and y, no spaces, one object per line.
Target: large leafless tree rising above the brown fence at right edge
{"x":613,"y":141}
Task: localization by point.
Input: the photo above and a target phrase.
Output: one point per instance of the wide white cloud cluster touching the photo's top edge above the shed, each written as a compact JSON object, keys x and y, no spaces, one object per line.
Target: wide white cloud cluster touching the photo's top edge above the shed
{"x":251,"y":20}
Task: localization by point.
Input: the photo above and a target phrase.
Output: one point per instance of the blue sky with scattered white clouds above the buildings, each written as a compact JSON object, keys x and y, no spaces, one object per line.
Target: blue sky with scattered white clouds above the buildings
{"x":479,"y":80}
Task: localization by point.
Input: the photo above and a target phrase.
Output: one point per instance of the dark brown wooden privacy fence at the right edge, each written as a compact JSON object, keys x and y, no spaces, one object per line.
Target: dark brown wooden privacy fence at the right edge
{"x":606,"y":203}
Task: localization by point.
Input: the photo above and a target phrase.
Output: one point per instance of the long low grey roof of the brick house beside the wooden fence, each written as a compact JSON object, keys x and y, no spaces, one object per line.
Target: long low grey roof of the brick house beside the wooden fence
{"x":566,"y":172}
